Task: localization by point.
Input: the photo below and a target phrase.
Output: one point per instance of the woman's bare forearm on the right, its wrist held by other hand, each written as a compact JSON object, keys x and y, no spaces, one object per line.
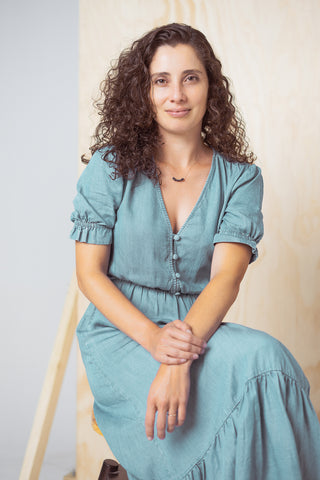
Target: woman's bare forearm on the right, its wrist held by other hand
{"x":211,"y":306}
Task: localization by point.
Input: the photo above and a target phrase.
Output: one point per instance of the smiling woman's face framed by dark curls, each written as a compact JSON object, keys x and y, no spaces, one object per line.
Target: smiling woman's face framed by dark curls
{"x":179,"y":89}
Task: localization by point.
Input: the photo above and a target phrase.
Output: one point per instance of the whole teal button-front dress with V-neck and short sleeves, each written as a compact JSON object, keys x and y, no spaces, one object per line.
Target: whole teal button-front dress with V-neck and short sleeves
{"x":249,"y":414}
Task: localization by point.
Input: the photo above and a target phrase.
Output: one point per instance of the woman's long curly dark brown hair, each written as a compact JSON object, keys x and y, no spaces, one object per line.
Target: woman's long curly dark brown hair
{"x":128,"y":126}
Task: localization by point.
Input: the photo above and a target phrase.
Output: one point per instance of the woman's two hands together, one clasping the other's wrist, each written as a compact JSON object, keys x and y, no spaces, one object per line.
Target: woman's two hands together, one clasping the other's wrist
{"x":175,"y":347}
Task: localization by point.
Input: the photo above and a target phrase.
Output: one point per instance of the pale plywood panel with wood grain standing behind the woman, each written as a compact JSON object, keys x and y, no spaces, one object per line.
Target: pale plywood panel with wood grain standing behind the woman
{"x":270,"y":50}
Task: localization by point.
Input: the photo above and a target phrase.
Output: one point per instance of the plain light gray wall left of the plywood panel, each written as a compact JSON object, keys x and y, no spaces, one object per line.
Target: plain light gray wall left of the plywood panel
{"x":38,"y":125}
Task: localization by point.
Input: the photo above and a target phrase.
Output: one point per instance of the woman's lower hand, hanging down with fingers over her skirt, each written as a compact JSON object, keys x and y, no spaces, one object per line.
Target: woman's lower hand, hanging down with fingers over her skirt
{"x":168,"y":397}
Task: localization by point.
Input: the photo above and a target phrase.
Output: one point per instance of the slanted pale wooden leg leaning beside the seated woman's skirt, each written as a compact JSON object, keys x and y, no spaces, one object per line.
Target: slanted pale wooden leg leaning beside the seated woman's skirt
{"x":43,"y":419}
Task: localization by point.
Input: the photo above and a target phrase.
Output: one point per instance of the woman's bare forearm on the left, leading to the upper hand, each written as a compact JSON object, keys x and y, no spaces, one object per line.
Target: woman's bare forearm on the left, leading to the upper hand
{"x":115,"y":306}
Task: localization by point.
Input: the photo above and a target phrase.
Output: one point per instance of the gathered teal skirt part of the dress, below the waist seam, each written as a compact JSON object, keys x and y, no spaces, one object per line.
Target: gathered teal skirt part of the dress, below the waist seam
{"x":249,"y":415}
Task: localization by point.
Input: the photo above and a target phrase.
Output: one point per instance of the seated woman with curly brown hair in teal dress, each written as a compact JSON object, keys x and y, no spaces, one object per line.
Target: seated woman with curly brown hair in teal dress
{"x":167,"y":218}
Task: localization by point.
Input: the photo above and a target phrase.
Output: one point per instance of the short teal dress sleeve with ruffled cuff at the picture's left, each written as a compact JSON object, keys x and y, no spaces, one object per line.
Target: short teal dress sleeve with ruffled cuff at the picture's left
{"x":96,"y":203}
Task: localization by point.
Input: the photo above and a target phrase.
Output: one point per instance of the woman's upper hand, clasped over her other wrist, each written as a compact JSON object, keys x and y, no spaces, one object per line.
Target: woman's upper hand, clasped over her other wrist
{"x":175,"y":343}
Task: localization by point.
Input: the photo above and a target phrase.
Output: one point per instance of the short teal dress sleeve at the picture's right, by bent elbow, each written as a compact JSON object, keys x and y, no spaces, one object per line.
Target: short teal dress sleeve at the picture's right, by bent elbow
{"x":242,"y":220}
